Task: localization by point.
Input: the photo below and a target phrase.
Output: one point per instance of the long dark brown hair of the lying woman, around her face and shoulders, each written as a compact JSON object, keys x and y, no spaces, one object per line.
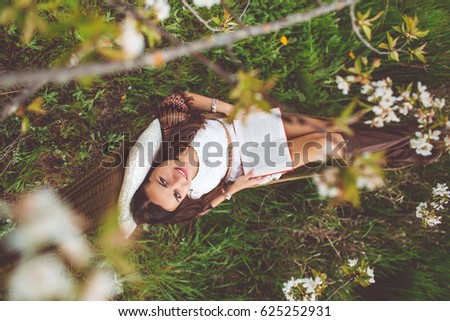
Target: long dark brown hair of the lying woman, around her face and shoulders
{"x":176,"y":138}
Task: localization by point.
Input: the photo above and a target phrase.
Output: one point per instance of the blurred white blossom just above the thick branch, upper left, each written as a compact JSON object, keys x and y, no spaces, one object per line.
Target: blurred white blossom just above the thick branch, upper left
{"x":131,"y":40}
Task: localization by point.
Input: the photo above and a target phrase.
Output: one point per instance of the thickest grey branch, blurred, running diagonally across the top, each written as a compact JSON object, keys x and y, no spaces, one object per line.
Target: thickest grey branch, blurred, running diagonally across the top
{"x":156,"y":58}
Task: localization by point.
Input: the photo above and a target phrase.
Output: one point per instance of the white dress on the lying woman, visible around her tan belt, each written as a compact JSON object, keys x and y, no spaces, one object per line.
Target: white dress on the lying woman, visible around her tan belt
{"x":211,"y":145}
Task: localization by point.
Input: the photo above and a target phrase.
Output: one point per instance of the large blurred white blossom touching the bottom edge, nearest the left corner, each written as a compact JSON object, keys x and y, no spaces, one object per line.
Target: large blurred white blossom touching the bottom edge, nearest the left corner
{"x":41,"y":278}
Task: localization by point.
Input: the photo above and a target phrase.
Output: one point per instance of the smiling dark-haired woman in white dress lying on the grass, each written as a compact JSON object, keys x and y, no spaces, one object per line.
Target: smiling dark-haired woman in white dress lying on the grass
{"x":167,"y":179}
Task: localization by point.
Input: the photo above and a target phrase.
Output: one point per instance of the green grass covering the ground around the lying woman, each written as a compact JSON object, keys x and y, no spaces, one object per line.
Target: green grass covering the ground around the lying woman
{"x":246,"y":248}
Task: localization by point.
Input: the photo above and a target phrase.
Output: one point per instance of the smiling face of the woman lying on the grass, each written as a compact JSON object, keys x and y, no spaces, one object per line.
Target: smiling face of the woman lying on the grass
{"x":169,"y":183}
